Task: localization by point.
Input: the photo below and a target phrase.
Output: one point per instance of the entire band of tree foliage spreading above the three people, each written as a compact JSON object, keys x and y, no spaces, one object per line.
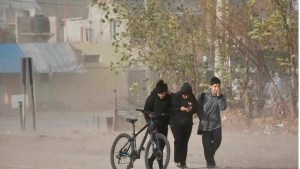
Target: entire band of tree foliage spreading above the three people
{"x":172,"y":45}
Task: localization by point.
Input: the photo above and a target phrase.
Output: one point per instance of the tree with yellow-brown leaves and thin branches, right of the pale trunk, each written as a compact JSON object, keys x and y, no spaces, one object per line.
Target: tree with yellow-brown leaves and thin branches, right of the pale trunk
{"x":264,"y":34}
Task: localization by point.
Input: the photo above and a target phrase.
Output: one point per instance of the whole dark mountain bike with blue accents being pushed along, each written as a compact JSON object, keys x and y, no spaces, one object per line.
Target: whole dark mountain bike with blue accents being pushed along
{"x":133,"y":151}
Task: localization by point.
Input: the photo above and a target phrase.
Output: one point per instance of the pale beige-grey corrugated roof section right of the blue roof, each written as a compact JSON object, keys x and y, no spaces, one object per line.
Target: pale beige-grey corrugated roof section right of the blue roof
{"x":59,"y":56}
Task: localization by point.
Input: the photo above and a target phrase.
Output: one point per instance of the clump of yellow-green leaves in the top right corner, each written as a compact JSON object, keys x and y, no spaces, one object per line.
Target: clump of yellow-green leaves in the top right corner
{"x":276,"y":32}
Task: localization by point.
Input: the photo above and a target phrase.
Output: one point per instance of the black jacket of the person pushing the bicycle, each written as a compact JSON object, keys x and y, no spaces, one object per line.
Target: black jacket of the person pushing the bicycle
{"x":155,"y":104}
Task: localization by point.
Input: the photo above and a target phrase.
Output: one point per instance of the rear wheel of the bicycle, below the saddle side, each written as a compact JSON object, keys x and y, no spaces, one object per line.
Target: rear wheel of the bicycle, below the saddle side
{"x":121,"y":150}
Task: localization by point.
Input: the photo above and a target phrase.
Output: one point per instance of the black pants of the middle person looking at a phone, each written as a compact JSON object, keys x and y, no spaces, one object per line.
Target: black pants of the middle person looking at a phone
{"x":181,"y":138}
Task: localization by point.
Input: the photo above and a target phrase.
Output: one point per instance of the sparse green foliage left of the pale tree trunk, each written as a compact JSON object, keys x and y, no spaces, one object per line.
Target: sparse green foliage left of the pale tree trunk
{"x":159,"y":39}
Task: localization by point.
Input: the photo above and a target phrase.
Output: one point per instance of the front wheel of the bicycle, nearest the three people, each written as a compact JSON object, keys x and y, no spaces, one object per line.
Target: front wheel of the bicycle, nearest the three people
{"x":157,"y":153}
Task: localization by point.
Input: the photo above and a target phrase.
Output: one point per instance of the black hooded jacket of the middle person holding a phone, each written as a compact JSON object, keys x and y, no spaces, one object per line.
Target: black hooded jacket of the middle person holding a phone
{"x":183,"y":118}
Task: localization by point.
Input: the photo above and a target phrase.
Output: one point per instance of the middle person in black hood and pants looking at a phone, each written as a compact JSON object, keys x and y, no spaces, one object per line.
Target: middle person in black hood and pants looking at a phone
{"x":184,"y":105}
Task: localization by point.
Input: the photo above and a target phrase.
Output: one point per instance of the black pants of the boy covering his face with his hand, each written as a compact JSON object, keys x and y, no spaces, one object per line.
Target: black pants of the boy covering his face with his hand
{"x":211,"y":141}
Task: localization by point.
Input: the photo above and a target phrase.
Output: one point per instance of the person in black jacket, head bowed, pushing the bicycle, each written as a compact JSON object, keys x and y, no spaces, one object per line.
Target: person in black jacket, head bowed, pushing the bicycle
{"x":159,"y":101}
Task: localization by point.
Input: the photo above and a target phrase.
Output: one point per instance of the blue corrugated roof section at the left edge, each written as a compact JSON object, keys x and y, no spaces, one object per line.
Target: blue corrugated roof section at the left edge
{"x":10,"y":58}
